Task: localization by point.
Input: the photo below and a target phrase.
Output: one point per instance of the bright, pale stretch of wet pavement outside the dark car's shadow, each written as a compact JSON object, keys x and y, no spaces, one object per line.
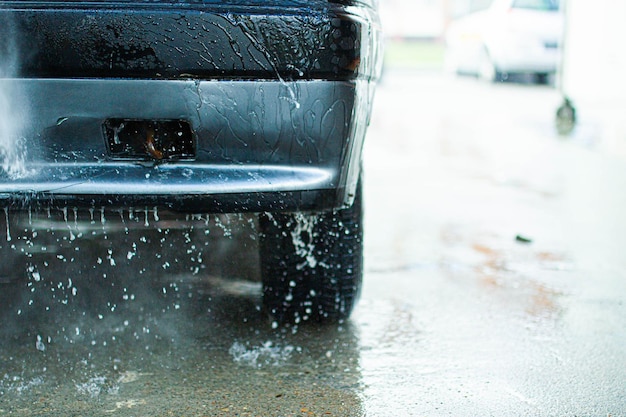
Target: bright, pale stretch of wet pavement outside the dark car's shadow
{"x":479,"y":322}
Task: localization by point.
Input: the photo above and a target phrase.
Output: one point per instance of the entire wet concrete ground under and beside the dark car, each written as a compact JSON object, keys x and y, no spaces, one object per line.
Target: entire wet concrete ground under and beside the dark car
{"x":495,"y":285}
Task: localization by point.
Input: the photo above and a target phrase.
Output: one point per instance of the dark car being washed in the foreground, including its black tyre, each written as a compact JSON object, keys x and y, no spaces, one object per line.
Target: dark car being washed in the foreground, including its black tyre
{"x":213,"y":106}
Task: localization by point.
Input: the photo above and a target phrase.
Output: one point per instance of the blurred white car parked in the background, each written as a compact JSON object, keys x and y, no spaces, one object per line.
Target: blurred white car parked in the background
{"x":508,"y":37}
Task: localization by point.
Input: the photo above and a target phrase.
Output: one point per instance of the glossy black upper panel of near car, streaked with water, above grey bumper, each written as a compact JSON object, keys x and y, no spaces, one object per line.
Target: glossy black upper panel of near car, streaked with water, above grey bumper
{"x":188,"y":40}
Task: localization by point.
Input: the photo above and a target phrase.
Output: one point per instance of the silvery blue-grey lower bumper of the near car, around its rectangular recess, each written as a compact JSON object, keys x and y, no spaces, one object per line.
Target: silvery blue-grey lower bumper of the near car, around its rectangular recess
{"x":296,"y":145}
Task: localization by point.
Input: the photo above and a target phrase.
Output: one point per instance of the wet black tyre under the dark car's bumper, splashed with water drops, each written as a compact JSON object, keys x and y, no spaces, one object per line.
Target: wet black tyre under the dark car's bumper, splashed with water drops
{"x":312,"y":264}
